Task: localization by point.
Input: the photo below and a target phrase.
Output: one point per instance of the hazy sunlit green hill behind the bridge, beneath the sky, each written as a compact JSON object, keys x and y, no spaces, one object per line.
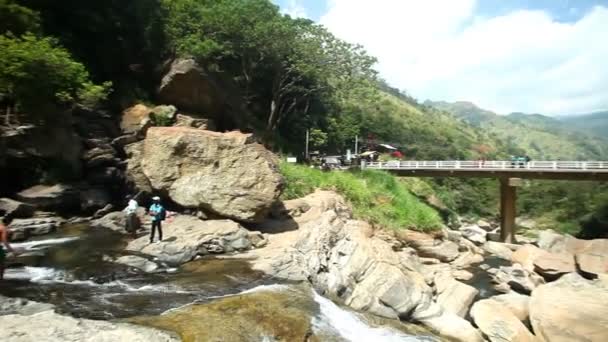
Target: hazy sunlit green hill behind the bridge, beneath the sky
{"x":539,"y":136}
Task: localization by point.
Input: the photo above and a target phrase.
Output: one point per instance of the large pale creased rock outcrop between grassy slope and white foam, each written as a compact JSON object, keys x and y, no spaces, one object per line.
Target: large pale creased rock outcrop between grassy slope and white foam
{"x":344,"y":259}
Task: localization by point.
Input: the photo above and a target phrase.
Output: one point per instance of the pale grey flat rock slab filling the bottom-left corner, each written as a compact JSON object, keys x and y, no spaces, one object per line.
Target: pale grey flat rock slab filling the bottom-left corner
{"x":52,"y":327}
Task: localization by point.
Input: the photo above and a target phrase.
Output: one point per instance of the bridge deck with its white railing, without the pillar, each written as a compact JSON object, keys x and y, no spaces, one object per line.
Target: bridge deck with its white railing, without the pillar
{"x":572,"y":170}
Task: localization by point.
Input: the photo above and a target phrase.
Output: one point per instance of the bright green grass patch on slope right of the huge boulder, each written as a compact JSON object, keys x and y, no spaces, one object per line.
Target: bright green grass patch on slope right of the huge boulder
{"x":376,"y":197}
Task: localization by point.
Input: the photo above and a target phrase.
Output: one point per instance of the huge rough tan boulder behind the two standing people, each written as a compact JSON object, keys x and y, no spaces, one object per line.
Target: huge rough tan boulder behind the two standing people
{"x":224,"y":173}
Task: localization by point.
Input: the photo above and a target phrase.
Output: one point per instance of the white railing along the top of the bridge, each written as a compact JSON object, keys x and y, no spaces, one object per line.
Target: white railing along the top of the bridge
{"x":601,"y":166}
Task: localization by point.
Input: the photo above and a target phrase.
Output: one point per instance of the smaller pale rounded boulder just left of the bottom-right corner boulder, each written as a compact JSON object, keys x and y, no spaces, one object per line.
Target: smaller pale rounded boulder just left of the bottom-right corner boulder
{"x":498,"y":323}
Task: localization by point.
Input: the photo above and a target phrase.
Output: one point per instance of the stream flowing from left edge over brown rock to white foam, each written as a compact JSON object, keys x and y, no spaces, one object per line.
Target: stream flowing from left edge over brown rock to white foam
{"x":201,"y":300}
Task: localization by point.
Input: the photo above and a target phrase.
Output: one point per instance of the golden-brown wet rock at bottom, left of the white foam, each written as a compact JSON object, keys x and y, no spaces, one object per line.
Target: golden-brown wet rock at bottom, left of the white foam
{"x":281,"y":316}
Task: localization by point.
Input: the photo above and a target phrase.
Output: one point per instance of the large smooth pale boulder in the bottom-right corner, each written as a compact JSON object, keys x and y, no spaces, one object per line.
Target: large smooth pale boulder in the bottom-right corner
{"x":570,"y":309}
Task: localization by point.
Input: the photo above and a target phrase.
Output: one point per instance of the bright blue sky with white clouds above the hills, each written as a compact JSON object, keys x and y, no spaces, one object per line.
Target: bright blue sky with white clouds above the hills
{"x":534,"y":56}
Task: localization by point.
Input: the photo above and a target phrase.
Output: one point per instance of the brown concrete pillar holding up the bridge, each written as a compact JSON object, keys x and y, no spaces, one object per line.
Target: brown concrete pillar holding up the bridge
{"x":508,"y":196}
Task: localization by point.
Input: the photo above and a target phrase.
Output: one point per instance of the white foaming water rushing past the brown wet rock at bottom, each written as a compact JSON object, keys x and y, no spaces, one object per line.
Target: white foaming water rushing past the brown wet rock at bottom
{"x":352,"y":328}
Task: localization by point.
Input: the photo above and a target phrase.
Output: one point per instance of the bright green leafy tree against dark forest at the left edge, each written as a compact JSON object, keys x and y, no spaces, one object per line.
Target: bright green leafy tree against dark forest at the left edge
{"x":37,"y":74}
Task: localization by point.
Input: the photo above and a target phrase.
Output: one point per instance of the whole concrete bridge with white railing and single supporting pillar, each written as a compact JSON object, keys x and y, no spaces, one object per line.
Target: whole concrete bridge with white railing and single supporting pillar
{"x":509,"y":173}
